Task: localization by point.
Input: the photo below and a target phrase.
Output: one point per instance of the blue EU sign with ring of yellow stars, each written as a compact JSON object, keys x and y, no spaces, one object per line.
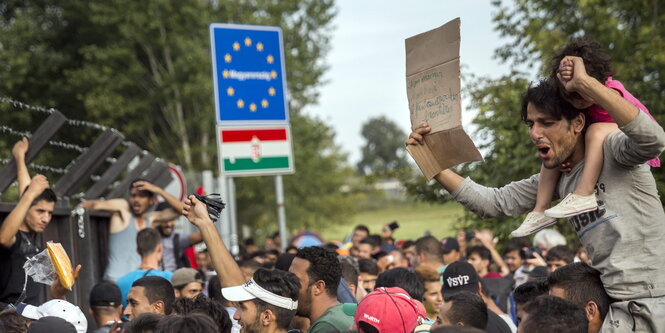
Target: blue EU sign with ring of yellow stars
{"x":248,"y":74}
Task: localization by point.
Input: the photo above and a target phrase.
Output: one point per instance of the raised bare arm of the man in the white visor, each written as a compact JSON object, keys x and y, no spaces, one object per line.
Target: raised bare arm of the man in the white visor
{"x":227,"y":268}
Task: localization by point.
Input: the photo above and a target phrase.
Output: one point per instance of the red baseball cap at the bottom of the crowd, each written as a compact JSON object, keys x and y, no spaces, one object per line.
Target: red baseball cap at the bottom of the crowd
{"x":390,"y":310}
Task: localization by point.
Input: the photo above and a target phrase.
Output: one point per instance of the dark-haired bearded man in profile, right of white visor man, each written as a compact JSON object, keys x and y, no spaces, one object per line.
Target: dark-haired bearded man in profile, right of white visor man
{"x":319,"y":273}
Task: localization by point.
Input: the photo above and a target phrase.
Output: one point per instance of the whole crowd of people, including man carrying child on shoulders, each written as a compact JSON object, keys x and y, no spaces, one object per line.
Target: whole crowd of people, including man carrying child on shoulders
{"x":158,"y":280}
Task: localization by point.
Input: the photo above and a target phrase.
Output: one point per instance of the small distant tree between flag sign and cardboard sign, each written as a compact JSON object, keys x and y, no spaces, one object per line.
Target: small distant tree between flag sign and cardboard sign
{"x":383,"y":152}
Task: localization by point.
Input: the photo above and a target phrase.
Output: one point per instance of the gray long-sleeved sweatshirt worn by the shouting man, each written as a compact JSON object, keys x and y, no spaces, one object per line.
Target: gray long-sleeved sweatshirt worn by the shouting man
{"x":625,"y":237}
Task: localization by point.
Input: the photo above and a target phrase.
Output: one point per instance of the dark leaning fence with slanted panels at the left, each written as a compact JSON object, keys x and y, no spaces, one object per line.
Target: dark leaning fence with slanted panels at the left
{"x":82,"y":233}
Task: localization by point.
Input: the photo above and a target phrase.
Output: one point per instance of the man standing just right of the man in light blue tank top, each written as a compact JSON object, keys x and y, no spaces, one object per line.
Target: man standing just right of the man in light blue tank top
{"x":173,"y":243}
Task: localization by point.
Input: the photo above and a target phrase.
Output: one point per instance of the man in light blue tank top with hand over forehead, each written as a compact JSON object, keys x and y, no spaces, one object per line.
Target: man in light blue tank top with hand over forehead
{"x":127,"y":219}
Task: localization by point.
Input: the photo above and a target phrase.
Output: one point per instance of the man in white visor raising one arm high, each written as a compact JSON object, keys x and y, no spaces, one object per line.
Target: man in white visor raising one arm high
{"x":268,"y":301}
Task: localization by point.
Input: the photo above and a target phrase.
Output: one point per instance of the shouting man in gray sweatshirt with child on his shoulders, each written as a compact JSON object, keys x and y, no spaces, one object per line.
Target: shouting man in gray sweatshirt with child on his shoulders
{"x":624,"y":235}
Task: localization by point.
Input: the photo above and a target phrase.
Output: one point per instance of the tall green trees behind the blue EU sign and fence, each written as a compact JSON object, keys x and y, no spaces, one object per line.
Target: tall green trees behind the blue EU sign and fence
{"x":144,"y":68}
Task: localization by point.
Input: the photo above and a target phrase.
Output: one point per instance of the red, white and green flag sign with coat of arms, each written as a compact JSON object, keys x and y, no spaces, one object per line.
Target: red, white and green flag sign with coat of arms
{"x":255,"y":150}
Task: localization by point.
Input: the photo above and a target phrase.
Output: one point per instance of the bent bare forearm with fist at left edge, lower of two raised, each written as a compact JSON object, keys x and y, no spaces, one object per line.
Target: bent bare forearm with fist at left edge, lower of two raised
{"x":13,"y":222}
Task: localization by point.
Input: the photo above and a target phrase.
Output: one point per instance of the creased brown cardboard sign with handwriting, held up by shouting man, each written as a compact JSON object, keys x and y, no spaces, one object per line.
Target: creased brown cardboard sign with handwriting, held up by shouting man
{"x":433,"y":90}
